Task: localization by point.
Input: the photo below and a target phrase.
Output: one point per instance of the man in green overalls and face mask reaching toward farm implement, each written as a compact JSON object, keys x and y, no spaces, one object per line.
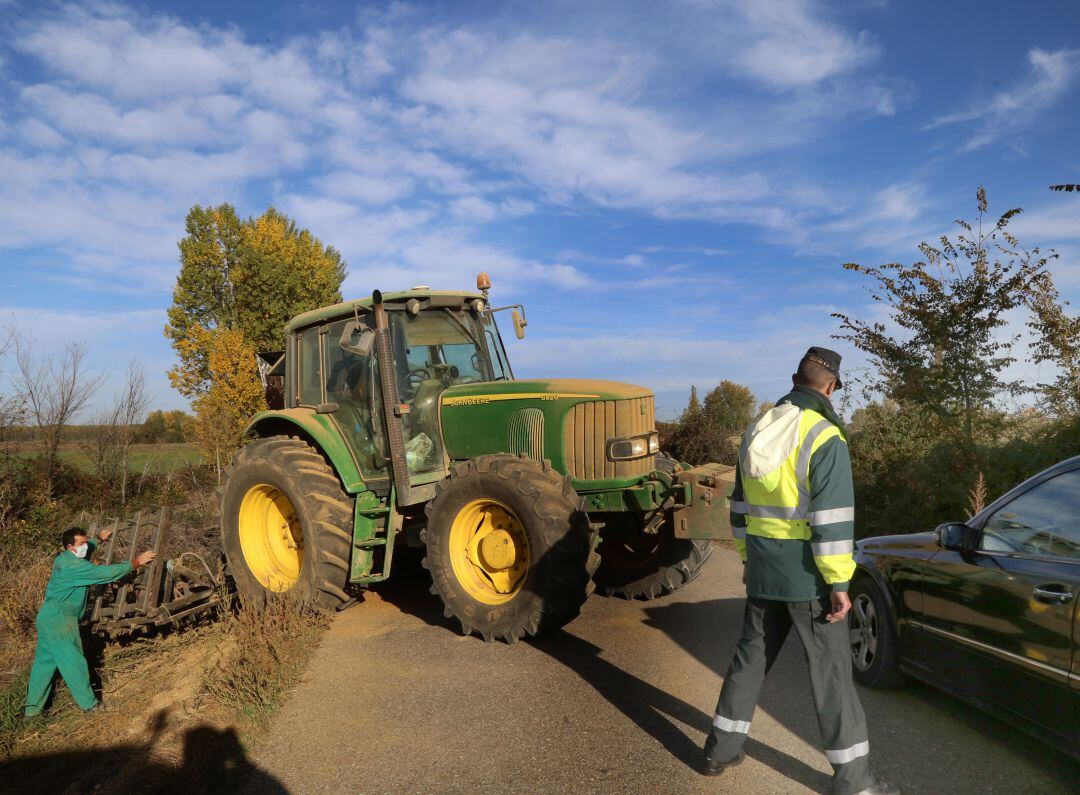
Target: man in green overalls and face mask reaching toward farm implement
{"x":60,"y":646}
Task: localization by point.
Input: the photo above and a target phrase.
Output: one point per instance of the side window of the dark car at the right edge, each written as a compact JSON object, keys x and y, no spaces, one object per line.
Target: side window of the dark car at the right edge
{"x":1044,"y":521}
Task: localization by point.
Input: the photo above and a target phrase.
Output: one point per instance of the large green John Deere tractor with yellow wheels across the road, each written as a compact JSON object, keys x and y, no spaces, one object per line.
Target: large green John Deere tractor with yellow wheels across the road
{"x":401,"y":422}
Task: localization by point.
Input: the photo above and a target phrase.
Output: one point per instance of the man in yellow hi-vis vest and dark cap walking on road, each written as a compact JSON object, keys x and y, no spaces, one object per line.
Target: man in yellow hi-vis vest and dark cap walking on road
{"x":793,"y":521}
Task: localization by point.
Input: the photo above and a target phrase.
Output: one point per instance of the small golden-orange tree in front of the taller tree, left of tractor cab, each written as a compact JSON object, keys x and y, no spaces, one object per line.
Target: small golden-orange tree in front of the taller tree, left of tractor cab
{"x":235,"y":395}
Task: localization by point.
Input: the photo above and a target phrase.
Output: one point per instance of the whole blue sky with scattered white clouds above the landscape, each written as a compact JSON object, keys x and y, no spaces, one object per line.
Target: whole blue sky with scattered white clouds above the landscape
{"x":670,"y":188}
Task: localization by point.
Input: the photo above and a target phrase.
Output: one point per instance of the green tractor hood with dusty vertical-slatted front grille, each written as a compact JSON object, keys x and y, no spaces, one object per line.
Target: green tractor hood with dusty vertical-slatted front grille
{"x":568,"y":422}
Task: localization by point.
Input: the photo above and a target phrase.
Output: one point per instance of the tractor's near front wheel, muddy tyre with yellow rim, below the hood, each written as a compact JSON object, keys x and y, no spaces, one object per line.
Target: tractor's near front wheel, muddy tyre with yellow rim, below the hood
{"x":509,"y":550}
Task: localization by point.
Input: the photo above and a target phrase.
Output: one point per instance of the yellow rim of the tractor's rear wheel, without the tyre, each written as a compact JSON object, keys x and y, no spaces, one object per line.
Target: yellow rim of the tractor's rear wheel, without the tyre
{"x":272,"y":537}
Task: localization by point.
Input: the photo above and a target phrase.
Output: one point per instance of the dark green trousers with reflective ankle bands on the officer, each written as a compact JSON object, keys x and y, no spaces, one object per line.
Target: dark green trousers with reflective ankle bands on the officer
{"x":766,"y":626}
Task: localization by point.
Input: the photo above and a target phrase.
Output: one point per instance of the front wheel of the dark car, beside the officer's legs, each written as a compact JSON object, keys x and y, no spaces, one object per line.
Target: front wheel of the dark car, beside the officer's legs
{"x":875,"y":649}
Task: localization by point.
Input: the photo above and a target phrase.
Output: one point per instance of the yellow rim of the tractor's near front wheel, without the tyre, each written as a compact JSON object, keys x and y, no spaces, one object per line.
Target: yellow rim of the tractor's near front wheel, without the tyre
{"x":490,"y":551}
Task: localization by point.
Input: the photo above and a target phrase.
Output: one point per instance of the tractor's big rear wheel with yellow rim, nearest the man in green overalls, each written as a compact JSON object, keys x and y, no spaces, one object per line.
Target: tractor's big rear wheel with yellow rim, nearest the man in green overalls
{"x":286,"y":524}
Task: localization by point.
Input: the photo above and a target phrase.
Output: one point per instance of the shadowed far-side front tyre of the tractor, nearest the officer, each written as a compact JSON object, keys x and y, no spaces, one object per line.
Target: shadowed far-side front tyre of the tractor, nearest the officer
{"x":646,"y":567}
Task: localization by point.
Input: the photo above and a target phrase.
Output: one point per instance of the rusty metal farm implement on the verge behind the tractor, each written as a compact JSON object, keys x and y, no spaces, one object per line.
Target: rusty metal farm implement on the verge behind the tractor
{"x":164,"y":592}
